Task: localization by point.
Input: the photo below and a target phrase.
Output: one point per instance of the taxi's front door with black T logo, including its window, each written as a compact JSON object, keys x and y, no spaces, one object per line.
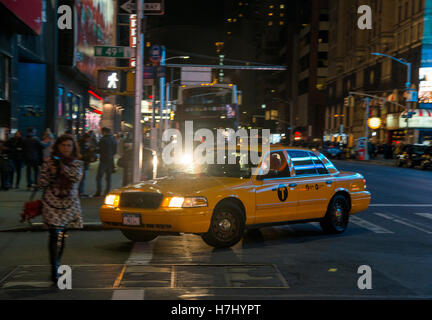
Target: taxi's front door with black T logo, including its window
{"x":275,"y":199}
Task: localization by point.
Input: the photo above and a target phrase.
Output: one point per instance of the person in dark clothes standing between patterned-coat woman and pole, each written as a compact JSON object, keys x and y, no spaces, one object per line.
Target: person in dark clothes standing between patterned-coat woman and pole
{"x":107,"y":148}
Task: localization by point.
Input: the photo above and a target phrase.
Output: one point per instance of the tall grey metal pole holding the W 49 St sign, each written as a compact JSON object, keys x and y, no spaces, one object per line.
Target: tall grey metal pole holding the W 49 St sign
{"x":137,"y":136}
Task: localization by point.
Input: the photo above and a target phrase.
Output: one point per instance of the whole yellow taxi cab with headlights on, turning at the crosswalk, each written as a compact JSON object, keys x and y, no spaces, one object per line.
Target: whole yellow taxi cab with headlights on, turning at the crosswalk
{"x":220,"y":201}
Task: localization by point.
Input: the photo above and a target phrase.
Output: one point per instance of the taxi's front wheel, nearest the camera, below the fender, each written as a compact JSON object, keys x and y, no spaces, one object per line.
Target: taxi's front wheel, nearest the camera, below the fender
{"x":226,"y":227}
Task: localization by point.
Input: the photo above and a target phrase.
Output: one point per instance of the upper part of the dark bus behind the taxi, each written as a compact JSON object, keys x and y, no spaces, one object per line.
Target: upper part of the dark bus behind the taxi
{"x":211,"y":106}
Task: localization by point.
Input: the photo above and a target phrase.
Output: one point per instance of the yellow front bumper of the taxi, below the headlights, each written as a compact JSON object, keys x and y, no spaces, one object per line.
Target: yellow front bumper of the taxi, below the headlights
{"x":163,"y":220}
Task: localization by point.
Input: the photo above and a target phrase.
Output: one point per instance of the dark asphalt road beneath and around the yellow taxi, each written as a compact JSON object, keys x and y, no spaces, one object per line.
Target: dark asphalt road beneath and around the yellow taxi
{"x":393,"y":237}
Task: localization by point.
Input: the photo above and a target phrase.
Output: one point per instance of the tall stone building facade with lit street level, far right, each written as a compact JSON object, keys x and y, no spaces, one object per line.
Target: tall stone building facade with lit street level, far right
{"x":398,"y":30}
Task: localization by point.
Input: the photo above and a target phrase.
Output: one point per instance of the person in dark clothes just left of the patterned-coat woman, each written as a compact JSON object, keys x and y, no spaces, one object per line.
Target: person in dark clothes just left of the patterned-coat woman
{"x":32,"y":150}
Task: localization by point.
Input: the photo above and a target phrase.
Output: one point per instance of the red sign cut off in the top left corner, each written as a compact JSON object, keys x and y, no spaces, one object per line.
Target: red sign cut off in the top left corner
{"x":29,"y":12}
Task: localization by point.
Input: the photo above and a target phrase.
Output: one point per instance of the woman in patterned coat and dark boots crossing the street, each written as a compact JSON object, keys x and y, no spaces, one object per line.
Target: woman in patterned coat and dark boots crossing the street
{"x":61,"y":208}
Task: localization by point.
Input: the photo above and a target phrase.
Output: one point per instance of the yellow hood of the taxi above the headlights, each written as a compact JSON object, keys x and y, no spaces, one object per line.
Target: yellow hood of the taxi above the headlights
{"x":184,"y":186}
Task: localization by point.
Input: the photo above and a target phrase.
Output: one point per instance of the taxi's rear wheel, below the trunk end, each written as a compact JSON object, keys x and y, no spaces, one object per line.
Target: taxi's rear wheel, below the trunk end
{"x":337,"y":216}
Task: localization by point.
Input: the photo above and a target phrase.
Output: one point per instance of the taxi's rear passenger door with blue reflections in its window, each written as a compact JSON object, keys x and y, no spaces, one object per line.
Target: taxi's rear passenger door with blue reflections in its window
{"x":313,"y":184}
